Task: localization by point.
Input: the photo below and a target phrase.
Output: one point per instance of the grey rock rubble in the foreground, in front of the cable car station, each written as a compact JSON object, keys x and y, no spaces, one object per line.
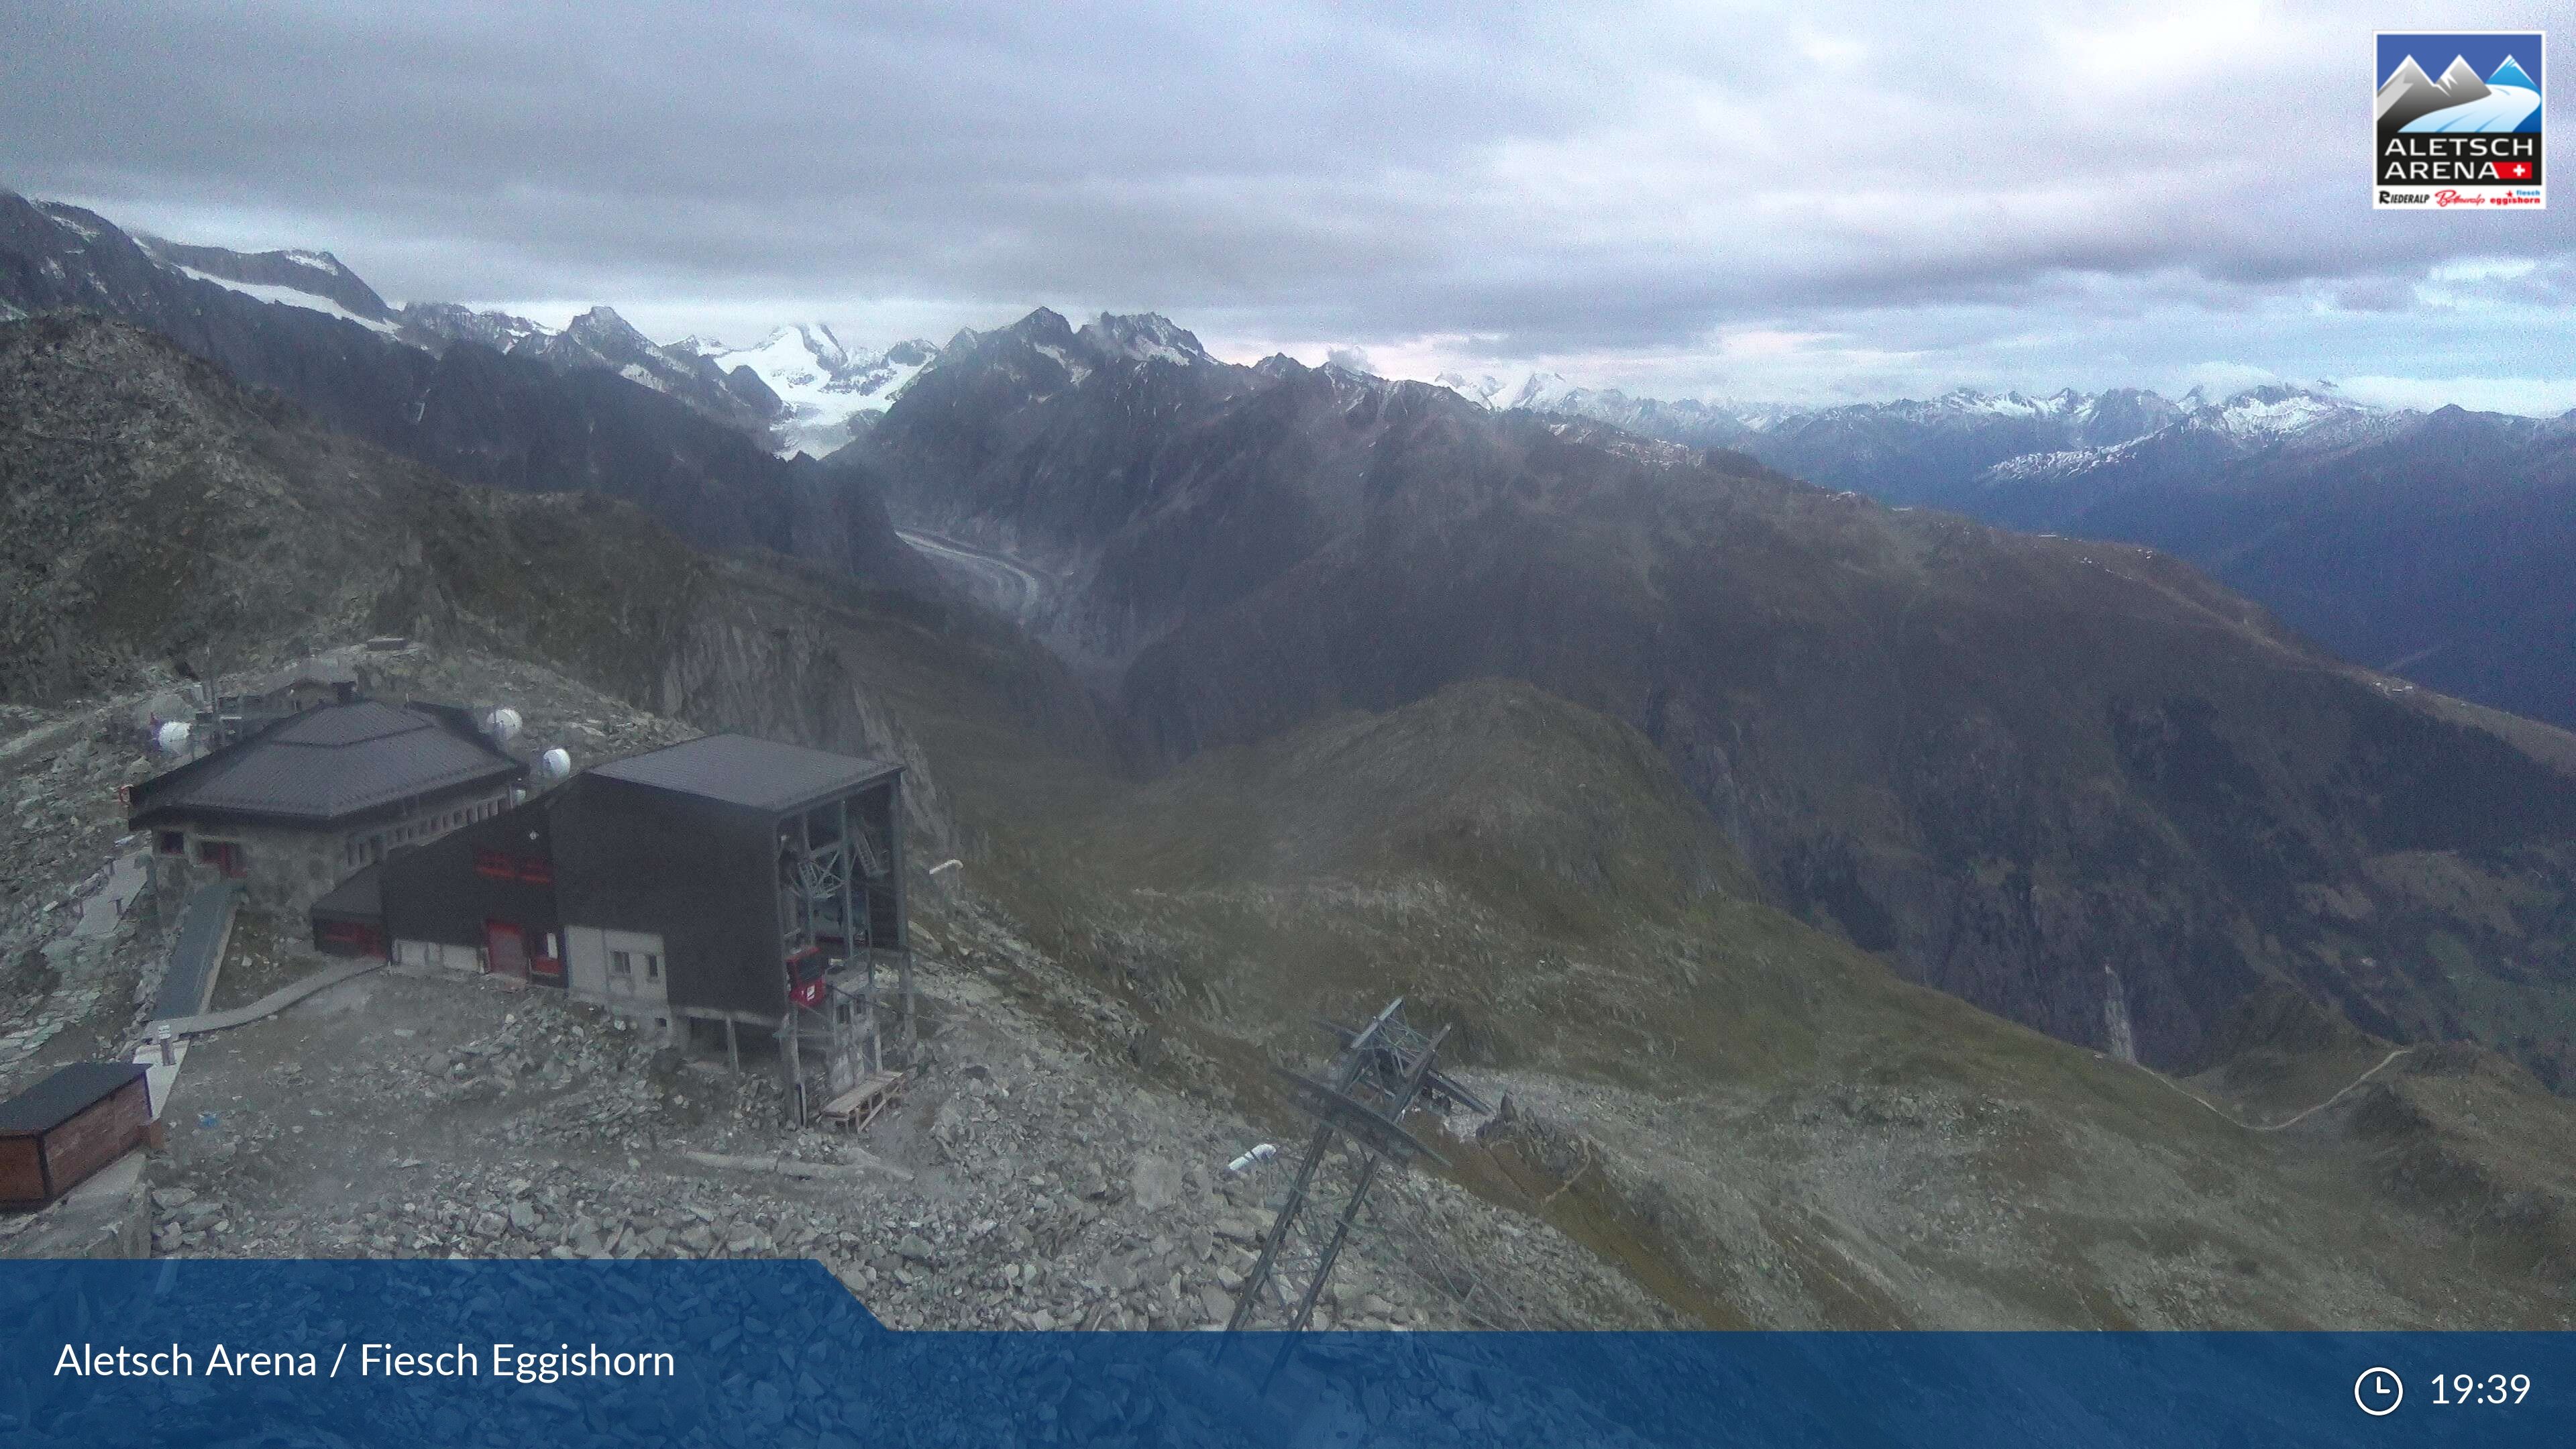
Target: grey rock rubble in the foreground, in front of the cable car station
{"x":429,"y":1115}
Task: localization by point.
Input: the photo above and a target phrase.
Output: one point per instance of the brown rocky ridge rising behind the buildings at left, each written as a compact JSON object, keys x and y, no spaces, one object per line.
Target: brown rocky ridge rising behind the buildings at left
{"x":161,"y":517}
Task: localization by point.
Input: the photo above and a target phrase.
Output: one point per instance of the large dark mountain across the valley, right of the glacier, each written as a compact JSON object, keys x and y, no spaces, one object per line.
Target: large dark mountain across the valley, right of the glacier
{"x":2003,"y":762}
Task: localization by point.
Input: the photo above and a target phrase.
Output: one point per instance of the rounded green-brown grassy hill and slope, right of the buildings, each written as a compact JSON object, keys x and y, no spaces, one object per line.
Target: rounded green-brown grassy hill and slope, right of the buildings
{"x":1756,"y":1118}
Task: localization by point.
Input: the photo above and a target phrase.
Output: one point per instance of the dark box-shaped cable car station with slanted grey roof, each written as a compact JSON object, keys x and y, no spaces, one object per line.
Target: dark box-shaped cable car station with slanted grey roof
{"x":717,"y":880}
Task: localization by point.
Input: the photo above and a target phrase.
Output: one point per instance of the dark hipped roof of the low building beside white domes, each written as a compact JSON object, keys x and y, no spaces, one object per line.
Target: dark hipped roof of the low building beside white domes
{"x":328,"y":764}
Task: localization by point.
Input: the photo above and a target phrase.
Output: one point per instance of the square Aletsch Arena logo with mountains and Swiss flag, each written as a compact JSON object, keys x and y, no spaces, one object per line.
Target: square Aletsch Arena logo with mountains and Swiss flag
{"x":2461,"y":135}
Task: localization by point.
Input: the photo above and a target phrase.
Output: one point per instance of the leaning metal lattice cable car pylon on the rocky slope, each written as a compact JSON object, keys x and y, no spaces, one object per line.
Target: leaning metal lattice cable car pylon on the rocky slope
{"x":1359,"y":1107}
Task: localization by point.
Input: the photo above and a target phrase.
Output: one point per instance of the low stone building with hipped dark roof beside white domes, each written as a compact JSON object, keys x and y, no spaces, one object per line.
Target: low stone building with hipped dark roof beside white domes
{"x":316,"y":795}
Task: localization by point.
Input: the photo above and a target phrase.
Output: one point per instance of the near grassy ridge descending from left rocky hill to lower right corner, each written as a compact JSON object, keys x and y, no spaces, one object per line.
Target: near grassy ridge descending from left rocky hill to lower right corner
{"x":1745,"y":1113}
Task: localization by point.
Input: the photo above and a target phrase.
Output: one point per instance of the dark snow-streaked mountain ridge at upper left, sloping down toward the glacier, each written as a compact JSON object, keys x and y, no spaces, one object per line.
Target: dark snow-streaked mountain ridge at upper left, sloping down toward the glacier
{"x":478,"y":396}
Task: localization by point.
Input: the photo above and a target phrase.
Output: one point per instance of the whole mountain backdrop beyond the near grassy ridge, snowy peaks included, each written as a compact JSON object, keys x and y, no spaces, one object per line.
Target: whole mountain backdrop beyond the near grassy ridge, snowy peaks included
{"x":2078,"y":785}
